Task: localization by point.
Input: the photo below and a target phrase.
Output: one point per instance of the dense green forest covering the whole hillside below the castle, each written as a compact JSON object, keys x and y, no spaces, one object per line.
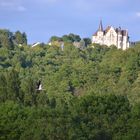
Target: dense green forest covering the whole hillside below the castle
{"x":91,"y":93}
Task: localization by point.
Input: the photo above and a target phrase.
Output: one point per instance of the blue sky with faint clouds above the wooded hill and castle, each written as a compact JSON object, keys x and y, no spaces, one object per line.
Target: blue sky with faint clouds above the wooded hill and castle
{"x":41,"y":19}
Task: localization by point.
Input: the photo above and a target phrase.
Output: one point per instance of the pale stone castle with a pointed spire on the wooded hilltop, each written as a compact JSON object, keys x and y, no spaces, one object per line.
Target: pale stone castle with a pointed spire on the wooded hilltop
{"x":111,"y":36}
